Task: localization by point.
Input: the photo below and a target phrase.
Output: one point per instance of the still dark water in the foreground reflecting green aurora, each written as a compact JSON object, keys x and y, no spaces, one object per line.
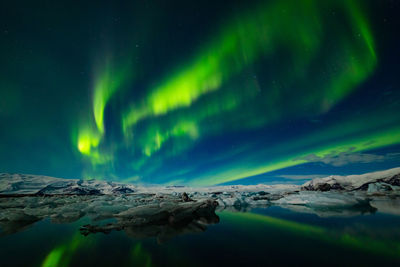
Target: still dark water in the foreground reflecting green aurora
{"x":261,"y":237}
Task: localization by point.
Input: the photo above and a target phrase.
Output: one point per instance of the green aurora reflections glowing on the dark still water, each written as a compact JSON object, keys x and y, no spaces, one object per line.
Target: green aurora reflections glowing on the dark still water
{"x":63,"y":254}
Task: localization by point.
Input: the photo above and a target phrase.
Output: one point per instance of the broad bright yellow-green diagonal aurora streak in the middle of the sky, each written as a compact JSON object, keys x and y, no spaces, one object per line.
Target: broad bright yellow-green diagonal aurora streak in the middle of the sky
{"x":238,"y":45}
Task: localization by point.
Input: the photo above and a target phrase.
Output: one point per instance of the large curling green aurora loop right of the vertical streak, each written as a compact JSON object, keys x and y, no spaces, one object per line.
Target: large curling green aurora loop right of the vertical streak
{"x":298,"y":29}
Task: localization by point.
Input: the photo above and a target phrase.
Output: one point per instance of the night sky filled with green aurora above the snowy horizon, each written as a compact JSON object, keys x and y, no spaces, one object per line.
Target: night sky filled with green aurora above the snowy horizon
{"x":199,"y":92}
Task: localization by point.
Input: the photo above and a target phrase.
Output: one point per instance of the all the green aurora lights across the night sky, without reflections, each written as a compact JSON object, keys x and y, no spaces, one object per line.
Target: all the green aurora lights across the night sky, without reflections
{"x":208,"y":95}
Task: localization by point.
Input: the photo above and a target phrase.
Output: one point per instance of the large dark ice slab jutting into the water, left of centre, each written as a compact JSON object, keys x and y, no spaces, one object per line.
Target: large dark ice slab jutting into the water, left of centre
{"x":161,"y":221}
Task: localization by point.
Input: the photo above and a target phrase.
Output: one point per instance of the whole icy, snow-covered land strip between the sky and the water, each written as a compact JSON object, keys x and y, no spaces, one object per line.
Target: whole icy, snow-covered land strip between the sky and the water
{"x":25,"y":199}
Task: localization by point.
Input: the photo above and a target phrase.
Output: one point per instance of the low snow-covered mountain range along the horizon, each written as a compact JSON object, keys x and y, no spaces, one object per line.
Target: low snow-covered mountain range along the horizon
{"x":14,"y":184}
